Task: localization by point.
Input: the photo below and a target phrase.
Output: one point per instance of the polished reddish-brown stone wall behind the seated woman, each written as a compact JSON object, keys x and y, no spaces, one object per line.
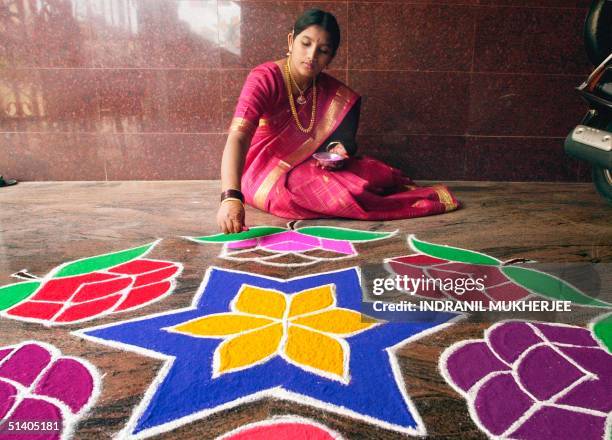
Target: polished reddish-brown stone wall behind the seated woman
{"x":145,"y":89}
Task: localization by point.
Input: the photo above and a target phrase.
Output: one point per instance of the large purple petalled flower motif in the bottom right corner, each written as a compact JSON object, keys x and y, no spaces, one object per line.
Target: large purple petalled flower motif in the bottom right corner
{"x":534,"y":381}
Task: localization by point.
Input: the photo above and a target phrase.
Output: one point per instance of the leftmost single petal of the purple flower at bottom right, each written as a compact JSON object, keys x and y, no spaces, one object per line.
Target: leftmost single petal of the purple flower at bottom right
{"x":471,"y":362}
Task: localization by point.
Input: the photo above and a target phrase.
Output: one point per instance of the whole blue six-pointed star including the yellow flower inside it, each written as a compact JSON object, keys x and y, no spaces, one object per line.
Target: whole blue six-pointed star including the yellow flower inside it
{"x":248,"y":336}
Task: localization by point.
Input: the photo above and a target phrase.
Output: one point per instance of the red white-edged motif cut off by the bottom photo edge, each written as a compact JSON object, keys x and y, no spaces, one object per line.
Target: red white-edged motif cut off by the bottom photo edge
{"x":283,"y":428}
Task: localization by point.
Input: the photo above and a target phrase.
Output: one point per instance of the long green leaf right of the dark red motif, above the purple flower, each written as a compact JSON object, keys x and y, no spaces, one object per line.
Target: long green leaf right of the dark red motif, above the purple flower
{"x":549,"y":286}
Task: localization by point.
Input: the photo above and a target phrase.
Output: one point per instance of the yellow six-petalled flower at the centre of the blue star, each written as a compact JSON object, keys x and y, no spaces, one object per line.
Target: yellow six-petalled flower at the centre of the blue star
{"x":306,"y":329}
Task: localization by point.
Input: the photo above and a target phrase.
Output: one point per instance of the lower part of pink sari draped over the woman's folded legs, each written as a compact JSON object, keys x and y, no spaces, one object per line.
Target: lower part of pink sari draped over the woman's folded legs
{"x":366,"y":189}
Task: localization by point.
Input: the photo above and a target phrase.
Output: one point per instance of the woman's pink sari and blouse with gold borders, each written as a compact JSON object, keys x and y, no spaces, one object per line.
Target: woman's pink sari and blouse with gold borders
{"x":280,"y":175}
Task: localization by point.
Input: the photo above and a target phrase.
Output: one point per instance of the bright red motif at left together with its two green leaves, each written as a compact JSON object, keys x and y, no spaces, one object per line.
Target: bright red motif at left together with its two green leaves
{"x":91,"y":287}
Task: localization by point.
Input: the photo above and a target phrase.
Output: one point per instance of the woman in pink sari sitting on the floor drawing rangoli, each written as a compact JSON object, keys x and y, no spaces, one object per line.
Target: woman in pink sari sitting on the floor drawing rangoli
{"x":288,"y":110}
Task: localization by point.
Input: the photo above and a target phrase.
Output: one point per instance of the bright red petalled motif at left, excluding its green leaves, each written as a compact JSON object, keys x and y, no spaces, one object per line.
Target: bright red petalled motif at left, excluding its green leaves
{"x":86,"y":296}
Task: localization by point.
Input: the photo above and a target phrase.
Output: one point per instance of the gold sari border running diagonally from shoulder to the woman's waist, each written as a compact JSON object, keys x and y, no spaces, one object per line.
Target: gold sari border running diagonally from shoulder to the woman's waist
{"x":322,"y":131}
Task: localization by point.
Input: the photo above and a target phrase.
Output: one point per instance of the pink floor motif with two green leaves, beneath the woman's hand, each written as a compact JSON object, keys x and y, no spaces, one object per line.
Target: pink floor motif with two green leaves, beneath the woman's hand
{"x":275,"y":246}
